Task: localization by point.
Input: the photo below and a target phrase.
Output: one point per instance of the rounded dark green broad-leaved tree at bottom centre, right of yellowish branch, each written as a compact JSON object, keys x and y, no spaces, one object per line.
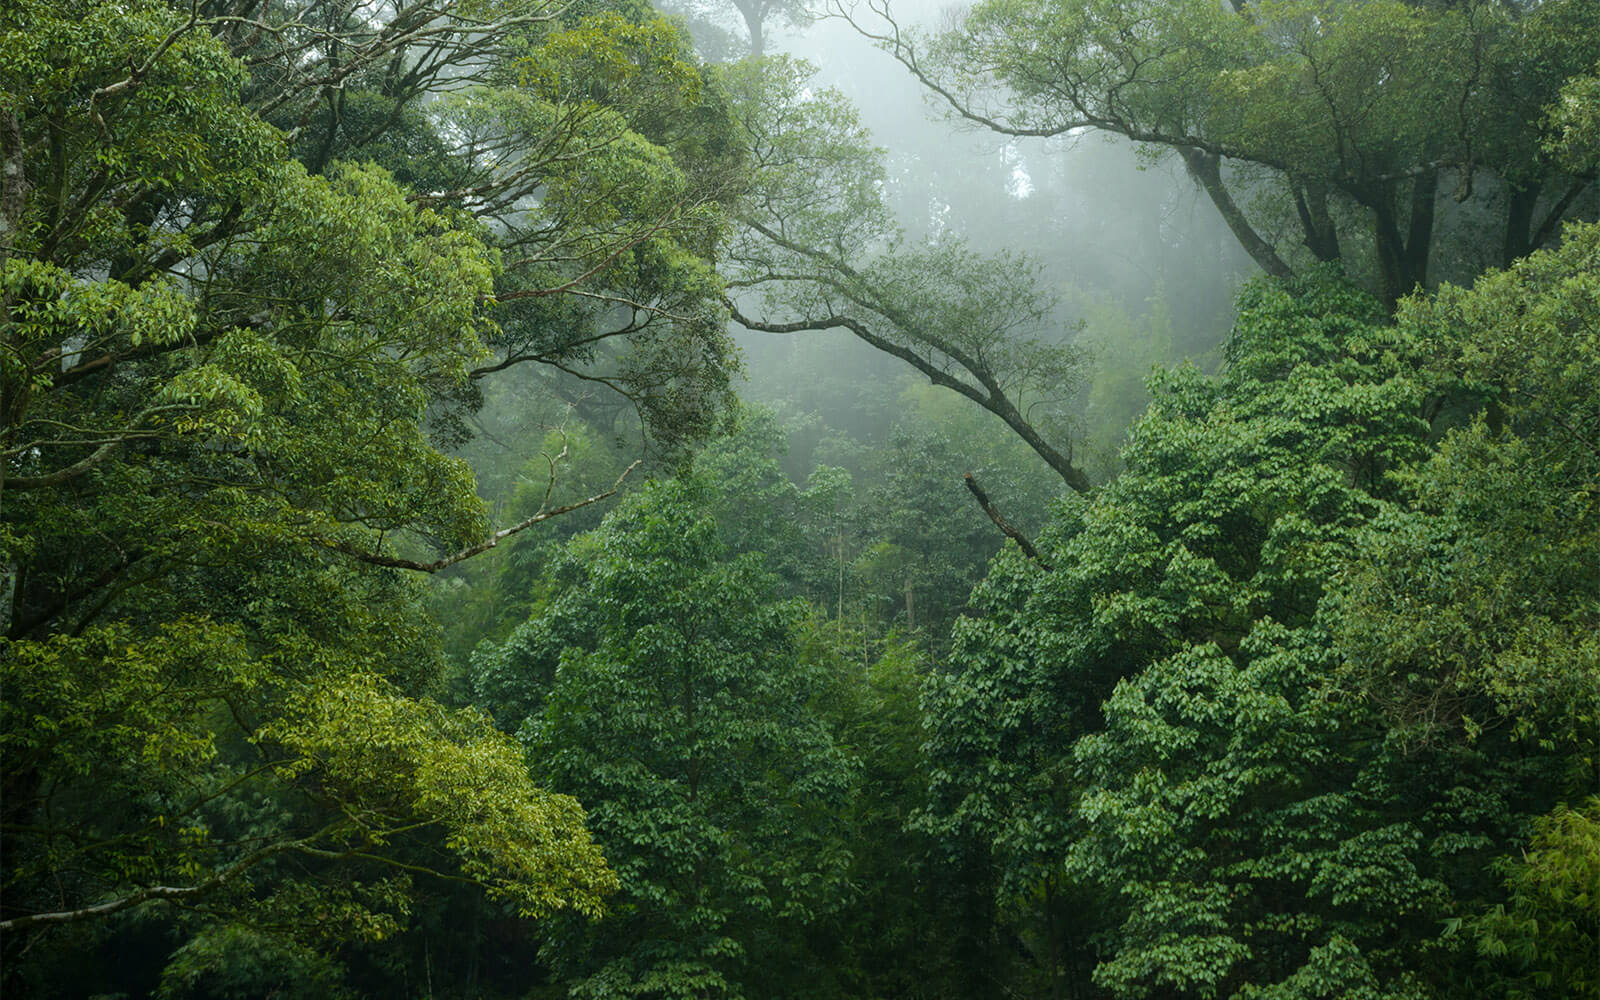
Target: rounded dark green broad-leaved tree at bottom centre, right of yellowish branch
{"x":663,"y":689}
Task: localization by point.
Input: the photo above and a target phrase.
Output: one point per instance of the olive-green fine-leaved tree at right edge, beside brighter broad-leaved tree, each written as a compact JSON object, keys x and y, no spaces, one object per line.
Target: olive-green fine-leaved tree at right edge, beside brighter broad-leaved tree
{"x":1478,"y":604}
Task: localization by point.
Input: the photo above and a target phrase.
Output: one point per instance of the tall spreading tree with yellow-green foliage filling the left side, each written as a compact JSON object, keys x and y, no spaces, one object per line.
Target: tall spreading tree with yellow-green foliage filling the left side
{"x":230,"y":366}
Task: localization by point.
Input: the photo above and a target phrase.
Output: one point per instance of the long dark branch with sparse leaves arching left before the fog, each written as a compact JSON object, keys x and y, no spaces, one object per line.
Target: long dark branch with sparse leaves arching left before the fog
{"x":847,"y":273}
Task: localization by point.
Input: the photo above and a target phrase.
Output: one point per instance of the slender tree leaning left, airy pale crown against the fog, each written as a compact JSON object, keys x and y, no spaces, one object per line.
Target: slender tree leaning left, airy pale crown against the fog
{"x":818,"y":247}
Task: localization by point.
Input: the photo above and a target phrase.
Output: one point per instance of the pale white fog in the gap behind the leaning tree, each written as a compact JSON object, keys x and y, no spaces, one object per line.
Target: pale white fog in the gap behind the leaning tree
{"x":1142,"y":265}
